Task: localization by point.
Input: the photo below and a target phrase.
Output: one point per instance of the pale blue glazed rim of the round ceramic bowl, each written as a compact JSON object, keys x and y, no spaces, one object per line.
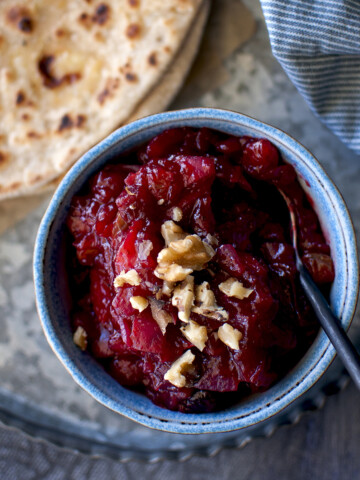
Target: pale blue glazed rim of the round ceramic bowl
{"x":166,"y":420}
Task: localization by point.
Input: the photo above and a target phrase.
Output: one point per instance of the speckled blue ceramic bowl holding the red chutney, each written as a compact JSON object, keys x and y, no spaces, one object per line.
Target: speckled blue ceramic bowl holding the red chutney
{"x":52,"y":293}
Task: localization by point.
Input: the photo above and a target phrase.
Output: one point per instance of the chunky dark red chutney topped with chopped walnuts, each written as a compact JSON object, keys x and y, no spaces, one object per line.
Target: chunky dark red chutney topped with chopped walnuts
{"x":182,"y":270}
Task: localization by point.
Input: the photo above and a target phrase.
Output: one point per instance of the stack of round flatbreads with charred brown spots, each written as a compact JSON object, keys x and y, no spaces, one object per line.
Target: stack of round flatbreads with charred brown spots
{"x":72,"y":71}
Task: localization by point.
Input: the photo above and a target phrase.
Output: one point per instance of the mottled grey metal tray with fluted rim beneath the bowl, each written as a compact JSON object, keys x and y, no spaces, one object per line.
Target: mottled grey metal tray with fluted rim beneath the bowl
{"x":38,"y":396}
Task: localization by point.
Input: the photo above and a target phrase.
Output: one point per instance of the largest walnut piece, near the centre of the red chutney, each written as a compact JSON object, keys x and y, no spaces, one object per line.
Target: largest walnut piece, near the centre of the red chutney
{"x":183,"y":254}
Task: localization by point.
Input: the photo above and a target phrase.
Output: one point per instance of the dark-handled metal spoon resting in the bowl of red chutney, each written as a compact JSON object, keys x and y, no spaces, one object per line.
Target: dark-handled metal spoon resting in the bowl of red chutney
{"x":330,"y":323}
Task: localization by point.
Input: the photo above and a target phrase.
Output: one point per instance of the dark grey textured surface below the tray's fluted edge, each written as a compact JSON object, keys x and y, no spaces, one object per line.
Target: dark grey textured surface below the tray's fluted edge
{"x":323,"y":446}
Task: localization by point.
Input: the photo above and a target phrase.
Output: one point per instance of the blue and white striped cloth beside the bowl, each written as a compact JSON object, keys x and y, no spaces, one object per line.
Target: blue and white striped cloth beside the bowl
{"x":317,"y":42}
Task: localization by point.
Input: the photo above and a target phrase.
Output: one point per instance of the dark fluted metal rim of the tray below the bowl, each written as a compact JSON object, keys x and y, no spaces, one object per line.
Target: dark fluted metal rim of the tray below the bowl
{"x":105,"y":450}
